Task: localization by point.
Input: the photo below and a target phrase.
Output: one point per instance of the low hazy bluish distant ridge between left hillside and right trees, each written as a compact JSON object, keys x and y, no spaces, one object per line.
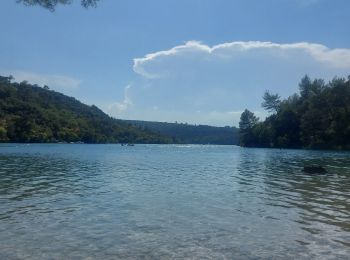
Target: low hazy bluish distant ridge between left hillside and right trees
{"x":192,"y":134}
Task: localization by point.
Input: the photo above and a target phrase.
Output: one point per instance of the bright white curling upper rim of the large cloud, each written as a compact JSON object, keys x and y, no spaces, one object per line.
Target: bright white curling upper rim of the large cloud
{"x":336,"y":58}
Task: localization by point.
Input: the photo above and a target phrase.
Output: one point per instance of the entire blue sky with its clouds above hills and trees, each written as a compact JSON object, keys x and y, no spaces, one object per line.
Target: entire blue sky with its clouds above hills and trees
{"x":195,"y":61}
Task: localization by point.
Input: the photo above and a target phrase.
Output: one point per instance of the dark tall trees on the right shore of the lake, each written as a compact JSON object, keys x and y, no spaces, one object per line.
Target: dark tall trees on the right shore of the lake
{"x":316,"y":118}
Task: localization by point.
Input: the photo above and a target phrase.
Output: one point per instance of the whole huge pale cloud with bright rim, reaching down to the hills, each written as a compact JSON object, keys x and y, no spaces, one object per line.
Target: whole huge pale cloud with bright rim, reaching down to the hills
{"x":227,"y":77}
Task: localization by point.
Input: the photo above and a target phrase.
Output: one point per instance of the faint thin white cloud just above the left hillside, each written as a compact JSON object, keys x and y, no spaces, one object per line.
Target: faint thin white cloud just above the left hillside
{"x":53,"y":81}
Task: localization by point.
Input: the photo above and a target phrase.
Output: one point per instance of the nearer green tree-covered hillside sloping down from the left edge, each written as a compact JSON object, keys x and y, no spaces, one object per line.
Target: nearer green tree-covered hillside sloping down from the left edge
{"x":29,"y":113}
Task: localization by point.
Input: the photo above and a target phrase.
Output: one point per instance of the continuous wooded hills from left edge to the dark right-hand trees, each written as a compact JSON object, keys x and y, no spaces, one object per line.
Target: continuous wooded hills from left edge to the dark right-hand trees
{"x":33,"y":114}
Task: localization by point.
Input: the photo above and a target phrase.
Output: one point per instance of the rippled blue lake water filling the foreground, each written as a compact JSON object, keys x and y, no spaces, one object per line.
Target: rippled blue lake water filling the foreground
{"x":61,"y":201}
